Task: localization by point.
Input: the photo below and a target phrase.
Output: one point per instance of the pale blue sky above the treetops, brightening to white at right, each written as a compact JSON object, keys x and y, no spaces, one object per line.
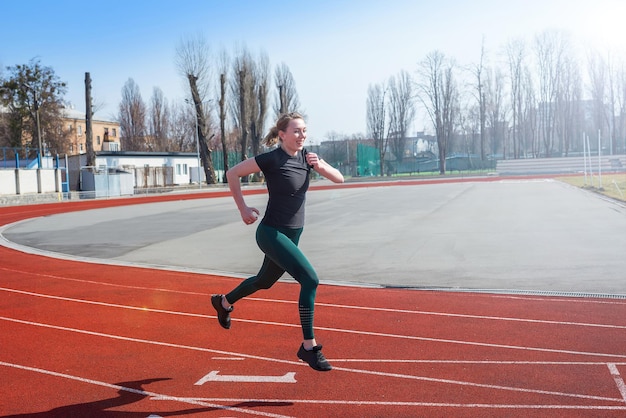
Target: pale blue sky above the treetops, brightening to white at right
{"x":334,"y":49}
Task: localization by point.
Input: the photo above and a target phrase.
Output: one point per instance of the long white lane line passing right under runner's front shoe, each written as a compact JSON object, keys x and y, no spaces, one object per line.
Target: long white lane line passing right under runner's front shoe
{"x":357,"y":371}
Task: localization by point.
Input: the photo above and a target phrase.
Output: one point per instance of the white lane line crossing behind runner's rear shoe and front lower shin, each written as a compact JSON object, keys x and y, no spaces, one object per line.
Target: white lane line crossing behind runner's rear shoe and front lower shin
{"x":345,"y":331}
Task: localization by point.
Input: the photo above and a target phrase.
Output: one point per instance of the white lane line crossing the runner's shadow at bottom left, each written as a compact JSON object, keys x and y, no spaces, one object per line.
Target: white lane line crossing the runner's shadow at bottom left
{"x":159,"y":396}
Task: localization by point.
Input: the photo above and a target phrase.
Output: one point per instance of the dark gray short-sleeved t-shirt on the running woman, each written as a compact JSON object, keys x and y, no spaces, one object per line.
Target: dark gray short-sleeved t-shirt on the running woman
{"x":287,"y":179}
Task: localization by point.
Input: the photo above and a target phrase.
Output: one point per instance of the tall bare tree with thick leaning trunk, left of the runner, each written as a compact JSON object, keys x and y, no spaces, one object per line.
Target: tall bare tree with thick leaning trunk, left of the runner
{"x":193,"y":60}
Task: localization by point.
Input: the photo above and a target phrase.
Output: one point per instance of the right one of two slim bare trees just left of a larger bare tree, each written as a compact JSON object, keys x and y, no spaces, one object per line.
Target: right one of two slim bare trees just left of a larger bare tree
{"x":401,"y":111}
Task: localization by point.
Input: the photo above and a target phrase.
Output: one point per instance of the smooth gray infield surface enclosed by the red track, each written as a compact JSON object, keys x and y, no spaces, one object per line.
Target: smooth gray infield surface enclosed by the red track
{"x":504,"y":235}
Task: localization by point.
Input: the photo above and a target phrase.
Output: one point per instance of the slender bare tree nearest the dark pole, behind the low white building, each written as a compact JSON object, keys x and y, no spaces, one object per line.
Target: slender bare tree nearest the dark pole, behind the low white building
{"x":132,"y":117}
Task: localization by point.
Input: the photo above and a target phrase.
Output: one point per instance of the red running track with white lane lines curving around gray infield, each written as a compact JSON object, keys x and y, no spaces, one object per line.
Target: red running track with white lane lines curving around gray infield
{"x":90,"y":340}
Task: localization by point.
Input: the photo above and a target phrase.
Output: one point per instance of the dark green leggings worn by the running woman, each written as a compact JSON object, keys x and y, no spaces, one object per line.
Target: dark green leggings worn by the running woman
{"x":280,"y":246}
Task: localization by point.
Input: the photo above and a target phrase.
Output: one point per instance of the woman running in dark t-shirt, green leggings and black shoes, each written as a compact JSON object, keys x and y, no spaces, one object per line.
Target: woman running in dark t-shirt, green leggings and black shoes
{"x":286,"y":170}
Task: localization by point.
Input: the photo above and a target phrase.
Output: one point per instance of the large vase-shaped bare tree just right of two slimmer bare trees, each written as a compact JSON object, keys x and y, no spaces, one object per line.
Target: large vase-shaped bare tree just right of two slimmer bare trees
{"x":438,"y":92}
